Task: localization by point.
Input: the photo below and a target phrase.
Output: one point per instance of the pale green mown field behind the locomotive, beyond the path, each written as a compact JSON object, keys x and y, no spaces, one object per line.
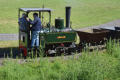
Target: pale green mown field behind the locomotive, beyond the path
{"x":84,"y":12}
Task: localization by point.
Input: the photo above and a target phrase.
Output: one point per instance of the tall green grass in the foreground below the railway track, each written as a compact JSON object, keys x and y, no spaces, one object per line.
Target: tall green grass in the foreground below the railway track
{"x":95,"y":66}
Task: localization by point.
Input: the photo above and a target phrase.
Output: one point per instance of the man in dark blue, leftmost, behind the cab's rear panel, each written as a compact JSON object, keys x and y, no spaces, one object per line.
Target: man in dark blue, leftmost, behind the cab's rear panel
{"x":23,"y":23}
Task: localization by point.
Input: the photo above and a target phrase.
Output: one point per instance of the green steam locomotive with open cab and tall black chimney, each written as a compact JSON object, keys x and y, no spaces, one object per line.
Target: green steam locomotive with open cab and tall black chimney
{"x":51,"y":41}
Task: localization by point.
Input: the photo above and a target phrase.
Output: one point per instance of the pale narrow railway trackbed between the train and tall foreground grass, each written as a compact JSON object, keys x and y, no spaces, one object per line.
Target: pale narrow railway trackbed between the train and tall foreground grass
{"x":52,"y":58}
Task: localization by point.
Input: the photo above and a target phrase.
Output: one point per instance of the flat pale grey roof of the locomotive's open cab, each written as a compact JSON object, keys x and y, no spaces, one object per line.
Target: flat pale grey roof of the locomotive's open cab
{"x":35,"y":9}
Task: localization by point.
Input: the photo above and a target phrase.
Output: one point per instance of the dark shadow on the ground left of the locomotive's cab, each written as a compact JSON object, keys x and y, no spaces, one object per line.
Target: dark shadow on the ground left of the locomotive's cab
{"x":7,"y":52}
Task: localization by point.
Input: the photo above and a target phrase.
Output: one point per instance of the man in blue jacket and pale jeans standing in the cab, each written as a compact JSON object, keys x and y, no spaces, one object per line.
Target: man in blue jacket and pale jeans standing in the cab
{"x":36,"y":27}
